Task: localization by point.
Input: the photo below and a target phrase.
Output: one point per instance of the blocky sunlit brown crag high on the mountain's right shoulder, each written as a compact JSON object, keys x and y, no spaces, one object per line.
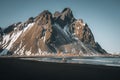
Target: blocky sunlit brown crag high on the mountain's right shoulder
{"x":82,"y":31}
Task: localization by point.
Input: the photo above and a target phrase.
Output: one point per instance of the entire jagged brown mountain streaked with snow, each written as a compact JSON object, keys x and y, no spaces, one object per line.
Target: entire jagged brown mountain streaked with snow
{"x":47,"y":33}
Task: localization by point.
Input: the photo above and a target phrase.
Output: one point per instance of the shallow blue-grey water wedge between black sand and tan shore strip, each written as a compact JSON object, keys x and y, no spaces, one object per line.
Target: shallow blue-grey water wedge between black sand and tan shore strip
{"x":108,"y":61}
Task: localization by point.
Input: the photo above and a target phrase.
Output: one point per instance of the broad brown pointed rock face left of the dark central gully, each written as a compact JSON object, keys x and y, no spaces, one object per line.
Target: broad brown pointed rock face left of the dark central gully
{"x":38,"y":37}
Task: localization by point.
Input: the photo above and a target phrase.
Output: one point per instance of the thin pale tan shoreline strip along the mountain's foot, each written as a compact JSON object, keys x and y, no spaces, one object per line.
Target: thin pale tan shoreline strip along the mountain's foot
{"x":60,"y":55}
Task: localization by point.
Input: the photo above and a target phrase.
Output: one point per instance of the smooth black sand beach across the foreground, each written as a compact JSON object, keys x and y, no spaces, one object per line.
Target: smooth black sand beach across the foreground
{"x":16,"y":69}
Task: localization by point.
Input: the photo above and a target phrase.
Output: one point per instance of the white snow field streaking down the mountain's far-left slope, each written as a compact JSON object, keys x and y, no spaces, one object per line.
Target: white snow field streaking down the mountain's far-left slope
{"x":9,"y":39}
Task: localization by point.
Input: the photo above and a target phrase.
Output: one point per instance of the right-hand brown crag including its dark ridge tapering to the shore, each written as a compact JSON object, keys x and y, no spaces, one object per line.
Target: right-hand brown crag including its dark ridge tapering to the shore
{"x":84,"y":34}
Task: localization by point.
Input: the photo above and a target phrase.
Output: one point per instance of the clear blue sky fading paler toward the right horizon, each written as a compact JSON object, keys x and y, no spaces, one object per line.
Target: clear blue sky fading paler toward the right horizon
{"x":102,"y":16}
